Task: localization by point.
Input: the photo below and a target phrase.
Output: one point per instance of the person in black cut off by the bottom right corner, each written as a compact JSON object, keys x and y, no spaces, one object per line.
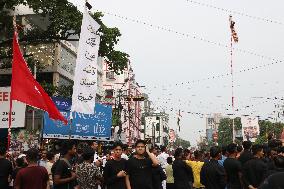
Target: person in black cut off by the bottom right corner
{"x":275,"y":181}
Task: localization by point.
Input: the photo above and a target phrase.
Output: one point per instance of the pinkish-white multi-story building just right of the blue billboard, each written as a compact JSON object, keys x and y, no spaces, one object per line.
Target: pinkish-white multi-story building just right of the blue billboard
{"x":121,"y":91}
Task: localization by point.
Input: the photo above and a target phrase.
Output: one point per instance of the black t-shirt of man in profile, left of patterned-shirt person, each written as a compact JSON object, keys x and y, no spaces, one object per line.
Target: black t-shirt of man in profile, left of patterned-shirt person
{"x":61,"y":168}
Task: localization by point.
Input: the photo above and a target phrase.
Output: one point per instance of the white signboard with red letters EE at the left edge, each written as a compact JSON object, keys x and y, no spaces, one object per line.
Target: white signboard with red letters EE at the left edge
{"x":18,"y":111}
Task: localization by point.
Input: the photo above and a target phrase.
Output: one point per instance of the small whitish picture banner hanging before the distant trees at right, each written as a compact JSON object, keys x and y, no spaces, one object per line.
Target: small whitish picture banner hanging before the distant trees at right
{"x":250,"y":128}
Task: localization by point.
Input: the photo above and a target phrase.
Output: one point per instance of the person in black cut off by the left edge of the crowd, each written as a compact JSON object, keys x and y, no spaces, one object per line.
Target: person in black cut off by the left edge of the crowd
{"x":6,"y":168}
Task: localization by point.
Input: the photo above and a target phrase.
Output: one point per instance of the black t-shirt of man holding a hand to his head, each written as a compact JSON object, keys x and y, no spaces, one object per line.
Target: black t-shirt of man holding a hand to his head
{"x":140,"y":173}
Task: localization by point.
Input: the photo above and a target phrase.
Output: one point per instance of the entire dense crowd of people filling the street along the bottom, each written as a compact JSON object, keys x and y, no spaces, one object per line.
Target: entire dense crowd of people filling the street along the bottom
{"x":80,"y":167}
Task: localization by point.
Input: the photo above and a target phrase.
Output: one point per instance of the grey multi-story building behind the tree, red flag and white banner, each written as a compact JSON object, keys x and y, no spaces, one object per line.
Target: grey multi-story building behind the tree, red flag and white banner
{"x":58,"y":60}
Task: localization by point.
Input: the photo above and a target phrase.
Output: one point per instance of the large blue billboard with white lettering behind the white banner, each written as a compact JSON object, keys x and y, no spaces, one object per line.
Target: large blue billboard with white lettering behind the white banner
{"x":83,"y":127}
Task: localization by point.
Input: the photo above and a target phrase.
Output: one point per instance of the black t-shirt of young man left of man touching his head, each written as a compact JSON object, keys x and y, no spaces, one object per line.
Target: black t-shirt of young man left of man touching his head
{"x":111,"y":169}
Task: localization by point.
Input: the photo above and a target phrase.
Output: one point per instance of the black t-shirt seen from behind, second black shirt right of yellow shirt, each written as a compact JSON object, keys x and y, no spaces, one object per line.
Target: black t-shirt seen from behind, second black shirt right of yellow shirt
{"x":233,"y":167}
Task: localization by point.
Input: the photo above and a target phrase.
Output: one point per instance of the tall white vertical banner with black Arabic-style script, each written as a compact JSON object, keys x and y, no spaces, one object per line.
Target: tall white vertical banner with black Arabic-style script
{"x":85,"y":79}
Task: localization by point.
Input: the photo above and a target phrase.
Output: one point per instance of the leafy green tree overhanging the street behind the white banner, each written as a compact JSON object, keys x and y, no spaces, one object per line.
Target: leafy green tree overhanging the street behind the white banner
{"x":63,"y":23}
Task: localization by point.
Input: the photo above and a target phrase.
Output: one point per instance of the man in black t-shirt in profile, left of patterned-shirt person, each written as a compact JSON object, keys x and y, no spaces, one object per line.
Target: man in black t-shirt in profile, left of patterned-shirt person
{"x":63,"y":175}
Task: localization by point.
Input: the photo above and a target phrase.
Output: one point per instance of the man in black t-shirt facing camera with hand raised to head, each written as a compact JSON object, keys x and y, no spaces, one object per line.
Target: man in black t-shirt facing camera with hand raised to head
{"x":139,"y":167}
